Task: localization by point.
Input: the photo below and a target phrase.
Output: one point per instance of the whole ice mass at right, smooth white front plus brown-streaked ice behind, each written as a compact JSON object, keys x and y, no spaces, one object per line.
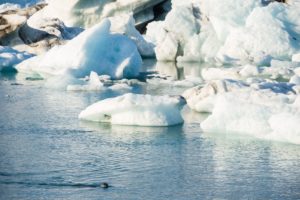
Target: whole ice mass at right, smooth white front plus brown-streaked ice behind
{"x":267,"y":110}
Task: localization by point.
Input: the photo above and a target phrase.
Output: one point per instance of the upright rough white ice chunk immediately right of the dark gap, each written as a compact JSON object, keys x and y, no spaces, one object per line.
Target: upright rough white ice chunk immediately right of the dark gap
{"x":171,"y":35}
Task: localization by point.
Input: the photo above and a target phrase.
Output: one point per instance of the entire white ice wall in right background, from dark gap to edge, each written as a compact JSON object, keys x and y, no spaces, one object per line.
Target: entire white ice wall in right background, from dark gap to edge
{"x":227,"y":31}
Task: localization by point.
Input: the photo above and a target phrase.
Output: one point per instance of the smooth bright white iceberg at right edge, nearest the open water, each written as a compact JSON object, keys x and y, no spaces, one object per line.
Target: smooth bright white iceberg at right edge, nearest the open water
{"x":262,"y":114}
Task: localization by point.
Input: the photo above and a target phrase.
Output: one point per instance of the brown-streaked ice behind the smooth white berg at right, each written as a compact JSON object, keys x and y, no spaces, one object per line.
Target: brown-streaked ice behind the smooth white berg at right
{"x":202,"y":98}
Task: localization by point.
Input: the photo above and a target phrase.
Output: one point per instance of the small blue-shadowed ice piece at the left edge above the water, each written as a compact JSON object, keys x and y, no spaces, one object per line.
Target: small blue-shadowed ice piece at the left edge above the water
{"x":10,"y":57}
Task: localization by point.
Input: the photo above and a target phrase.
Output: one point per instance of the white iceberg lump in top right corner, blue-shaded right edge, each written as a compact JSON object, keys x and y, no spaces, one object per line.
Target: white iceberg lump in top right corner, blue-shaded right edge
{"x":269,"y":29}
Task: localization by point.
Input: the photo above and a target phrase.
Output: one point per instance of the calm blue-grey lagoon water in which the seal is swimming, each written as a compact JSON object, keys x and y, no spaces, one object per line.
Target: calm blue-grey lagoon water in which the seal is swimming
{"x":47,"y":153}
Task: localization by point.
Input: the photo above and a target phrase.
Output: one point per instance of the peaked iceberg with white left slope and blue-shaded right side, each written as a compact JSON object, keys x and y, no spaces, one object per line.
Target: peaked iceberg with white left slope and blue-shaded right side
{"x":95,"y":49}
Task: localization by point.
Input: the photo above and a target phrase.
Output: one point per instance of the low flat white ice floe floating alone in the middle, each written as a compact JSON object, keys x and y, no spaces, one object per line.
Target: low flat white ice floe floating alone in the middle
{"x":136,"y":109}
